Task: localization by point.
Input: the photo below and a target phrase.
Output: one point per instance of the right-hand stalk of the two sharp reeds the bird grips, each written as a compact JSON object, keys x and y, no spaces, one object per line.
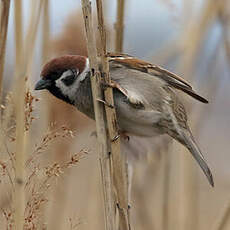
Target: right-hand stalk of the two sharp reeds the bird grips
{"x":118,"y":160}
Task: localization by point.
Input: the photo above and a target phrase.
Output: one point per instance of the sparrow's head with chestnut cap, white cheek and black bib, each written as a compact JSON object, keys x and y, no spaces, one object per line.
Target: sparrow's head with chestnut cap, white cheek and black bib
{"x":62,"y":76}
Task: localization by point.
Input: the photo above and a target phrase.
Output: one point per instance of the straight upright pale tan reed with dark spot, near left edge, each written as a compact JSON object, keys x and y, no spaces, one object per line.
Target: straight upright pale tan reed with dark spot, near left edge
{"x":19,"y":196}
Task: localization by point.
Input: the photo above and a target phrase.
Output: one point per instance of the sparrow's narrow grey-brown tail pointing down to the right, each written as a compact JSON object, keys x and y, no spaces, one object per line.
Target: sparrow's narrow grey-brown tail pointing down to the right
{"x":185,"y":137}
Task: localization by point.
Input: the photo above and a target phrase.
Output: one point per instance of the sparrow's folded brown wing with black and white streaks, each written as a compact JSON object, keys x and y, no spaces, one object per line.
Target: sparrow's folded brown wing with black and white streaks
{"x":156,"y":71}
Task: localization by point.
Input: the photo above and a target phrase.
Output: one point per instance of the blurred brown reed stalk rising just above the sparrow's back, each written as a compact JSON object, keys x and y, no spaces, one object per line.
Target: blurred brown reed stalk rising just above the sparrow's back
{"x":119,"y":26}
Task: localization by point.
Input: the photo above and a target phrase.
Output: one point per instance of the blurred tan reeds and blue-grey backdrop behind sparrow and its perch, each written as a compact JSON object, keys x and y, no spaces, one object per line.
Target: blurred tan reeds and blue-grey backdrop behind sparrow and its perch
{"x":41,"y":138}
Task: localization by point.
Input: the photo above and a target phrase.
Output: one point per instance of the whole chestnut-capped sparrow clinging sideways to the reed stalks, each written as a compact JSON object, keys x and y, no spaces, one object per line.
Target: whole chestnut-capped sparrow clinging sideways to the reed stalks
{"x":145,"y":97}
